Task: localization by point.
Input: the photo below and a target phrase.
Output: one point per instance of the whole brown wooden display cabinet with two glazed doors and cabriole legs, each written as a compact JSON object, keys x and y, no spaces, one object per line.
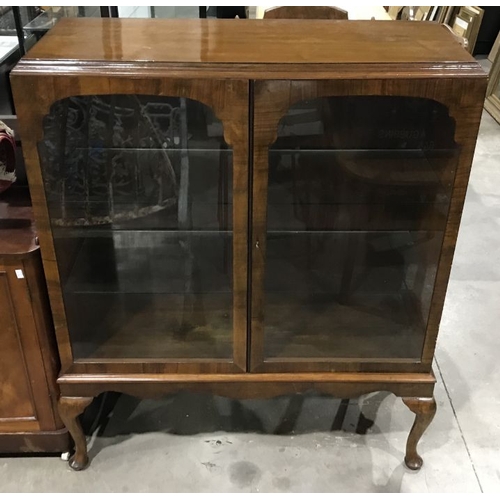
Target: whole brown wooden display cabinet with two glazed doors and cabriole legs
{"x":251,"y":208}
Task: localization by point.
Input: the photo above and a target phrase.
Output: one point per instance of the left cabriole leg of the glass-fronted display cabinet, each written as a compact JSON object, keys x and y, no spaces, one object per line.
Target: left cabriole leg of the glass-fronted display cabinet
{"x":69,"y":410}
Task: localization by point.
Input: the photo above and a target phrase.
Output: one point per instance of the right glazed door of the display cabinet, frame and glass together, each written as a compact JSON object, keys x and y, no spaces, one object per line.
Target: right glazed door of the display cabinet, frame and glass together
{"x":357,"y":194}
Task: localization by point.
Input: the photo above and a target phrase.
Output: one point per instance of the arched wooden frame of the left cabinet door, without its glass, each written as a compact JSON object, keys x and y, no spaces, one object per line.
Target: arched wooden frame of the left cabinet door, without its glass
{"x":229,"y":101}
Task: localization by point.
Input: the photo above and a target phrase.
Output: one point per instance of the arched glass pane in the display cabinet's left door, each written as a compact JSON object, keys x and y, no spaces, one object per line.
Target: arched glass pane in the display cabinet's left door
{"x":140,"y":201}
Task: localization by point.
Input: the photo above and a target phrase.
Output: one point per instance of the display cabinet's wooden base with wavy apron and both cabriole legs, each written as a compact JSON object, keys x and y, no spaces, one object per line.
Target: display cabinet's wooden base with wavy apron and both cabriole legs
{"x":416,"y":390}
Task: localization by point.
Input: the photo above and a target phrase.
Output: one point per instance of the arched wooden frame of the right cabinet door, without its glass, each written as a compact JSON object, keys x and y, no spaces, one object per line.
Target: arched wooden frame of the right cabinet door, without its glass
{"x":272,"y":98}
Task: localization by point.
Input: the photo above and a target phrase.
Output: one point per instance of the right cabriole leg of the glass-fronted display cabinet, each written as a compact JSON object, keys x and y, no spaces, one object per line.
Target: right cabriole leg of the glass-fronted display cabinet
{"x":424,"y":409}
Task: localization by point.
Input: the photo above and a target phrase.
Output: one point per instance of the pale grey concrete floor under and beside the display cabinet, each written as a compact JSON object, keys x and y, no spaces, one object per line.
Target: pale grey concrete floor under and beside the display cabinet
{"x":194,"y":443}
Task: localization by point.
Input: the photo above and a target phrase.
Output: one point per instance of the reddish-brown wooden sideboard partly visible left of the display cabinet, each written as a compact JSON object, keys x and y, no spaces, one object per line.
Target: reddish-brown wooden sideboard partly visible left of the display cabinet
{"x":29,"y":421}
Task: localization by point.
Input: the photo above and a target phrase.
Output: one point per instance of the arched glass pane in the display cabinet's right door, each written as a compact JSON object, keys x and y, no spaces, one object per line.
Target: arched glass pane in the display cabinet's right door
{"x":359,"y":191}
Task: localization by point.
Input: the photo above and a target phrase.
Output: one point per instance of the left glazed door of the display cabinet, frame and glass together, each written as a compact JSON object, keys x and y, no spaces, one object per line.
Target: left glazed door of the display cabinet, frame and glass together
{"x":140,"y":190}
